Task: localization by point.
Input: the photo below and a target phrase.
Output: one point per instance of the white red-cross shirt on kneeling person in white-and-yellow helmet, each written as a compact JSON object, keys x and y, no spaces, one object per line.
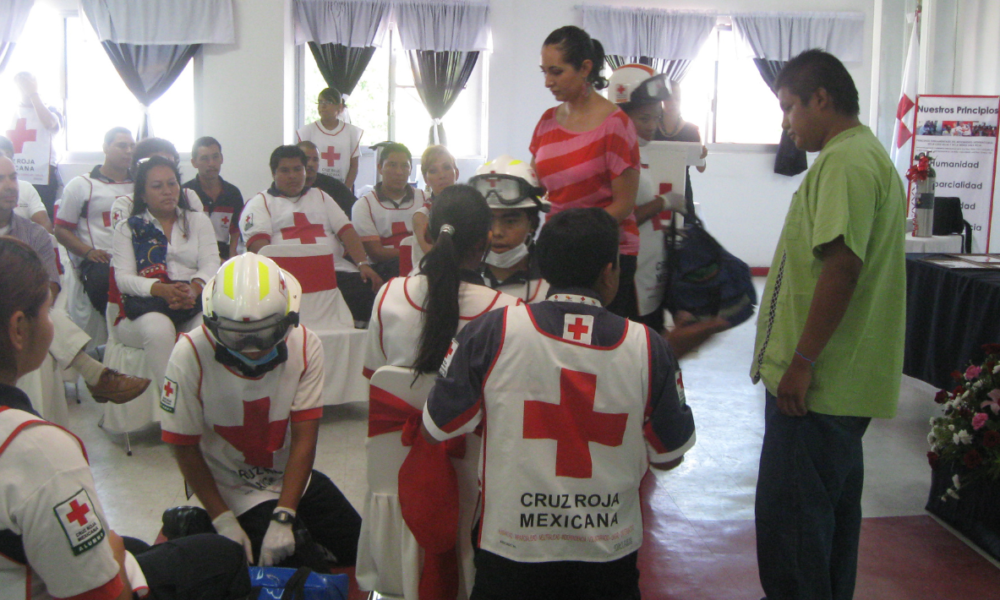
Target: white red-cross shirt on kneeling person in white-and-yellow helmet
{"x":242,"y":425}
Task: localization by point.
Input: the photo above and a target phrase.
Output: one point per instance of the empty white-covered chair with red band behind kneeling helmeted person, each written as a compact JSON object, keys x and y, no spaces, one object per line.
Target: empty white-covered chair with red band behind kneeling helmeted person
{"x":325,"y":313}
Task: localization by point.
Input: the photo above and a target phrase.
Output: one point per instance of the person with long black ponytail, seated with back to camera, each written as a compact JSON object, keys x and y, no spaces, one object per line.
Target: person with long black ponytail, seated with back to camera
{"x":415,"y":318}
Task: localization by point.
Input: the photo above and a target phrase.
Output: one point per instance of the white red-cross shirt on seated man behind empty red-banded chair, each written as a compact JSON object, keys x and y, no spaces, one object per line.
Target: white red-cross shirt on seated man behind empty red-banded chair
{"x":312,"y":218}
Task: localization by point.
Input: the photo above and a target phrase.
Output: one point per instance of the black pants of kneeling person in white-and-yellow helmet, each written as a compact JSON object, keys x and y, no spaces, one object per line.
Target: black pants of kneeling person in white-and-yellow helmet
{"x":324,"y":512}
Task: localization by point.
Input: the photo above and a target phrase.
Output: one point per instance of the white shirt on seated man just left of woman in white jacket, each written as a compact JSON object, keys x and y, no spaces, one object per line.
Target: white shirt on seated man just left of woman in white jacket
{"x":86,"y":205}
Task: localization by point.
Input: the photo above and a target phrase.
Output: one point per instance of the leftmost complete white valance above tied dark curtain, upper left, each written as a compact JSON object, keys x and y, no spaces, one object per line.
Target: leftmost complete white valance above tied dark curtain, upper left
{"x":170,"y":22}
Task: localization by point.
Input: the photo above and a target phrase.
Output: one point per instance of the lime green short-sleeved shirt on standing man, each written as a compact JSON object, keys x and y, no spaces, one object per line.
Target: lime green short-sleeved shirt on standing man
{"x":851,"y":190}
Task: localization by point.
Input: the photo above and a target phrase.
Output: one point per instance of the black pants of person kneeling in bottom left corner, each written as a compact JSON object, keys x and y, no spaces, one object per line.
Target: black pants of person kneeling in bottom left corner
{"x":197,"y":567}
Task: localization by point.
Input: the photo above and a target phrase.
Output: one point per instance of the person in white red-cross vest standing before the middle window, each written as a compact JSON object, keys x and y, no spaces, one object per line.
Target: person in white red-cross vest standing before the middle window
{"x":338,"y":141}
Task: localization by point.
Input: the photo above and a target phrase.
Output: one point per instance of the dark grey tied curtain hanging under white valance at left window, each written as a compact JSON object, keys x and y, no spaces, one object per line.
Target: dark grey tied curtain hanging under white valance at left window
{"x":148,"y":71}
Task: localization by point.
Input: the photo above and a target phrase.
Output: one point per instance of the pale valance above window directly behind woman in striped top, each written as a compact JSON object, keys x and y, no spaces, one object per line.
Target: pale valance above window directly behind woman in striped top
{"x":656,"y":33}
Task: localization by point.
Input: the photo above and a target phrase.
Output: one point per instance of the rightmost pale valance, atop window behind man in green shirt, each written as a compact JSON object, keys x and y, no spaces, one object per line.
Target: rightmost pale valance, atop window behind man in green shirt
{"x":781,"y":36}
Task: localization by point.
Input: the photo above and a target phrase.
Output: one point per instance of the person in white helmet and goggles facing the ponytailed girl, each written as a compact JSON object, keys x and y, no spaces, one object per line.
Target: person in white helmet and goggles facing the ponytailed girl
{"x":513,"y":194}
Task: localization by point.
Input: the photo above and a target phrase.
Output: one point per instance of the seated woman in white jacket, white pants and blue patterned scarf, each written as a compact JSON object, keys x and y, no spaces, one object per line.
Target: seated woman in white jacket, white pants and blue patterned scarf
{"x":162,"y":256}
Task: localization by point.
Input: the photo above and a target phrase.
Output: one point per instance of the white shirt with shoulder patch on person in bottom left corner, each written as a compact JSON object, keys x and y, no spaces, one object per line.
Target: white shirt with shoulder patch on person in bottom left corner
{"x":48,"y":500}
